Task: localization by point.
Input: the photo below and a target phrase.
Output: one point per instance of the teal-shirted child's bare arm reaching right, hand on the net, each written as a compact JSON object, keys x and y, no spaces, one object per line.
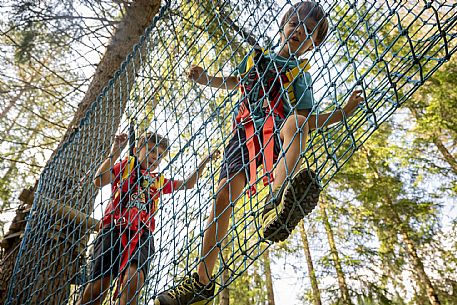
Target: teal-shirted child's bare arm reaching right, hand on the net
{"x":333,"y":117}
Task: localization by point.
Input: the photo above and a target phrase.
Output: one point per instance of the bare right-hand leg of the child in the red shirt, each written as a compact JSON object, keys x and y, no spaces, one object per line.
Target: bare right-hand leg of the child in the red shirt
{"x":131,"y":285}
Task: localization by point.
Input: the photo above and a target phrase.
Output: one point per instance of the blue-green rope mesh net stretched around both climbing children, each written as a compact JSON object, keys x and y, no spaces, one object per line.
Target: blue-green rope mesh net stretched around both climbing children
{"x":386,"y":48}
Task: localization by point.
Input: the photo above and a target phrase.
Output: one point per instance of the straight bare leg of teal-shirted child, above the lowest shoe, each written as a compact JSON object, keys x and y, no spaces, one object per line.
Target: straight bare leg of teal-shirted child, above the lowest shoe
{"x":218,"y":222}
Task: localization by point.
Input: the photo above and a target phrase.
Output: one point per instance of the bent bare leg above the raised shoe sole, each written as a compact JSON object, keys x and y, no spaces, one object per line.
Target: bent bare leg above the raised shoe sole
{"x":294,"y":134}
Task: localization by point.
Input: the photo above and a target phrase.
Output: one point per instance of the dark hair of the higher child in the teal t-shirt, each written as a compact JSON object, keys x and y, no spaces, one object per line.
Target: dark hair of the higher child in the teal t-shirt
{"x":309,"y":10}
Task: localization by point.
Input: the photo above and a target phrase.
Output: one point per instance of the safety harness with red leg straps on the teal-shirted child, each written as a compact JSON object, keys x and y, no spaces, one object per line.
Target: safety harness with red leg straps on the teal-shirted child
{"x":263,"y":87}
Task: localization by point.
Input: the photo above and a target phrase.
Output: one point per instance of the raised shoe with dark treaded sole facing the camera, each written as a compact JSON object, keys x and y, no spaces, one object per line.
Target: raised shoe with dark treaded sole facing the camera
{"x":299,"y":199}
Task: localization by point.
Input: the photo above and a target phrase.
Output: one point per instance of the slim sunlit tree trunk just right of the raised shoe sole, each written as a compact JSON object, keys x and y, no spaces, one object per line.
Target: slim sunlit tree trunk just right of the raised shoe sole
{"x":339,"y":270}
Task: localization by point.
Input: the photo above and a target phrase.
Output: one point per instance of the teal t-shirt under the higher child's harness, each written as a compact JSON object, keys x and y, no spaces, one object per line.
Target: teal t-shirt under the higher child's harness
{"x":301,"y":85}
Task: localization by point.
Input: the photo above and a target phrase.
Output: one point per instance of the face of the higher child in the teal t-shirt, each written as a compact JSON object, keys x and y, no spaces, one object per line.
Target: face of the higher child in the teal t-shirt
{"x":294,"y":37}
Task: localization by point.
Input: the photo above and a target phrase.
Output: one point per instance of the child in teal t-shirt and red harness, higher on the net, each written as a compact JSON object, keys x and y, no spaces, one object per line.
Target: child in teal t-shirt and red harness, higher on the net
{"x":271,"y":126}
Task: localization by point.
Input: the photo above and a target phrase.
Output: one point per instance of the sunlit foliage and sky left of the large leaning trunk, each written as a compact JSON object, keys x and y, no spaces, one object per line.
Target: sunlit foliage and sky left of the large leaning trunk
{"x":47,"y":61}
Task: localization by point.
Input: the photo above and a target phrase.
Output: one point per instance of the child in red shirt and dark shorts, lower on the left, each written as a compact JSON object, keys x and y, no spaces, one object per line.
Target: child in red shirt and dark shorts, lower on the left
{"x":125,"y":244}
